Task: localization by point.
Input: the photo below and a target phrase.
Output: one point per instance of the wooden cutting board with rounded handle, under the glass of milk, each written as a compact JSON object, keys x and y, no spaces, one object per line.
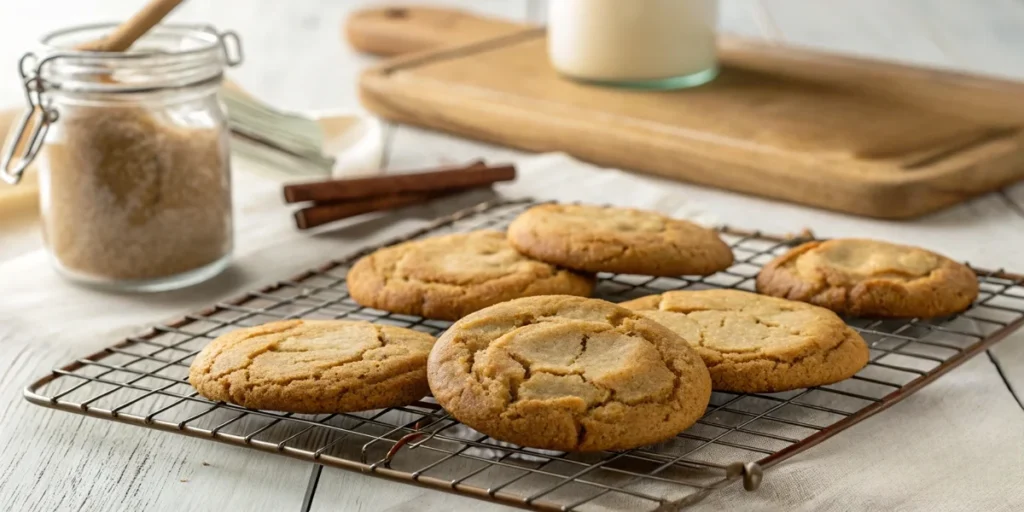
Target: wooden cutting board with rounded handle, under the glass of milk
{"x":856,"y":136}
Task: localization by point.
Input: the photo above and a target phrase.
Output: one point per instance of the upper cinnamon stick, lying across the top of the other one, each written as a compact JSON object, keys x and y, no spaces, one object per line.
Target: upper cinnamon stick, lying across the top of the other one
{"x":477,"y":175}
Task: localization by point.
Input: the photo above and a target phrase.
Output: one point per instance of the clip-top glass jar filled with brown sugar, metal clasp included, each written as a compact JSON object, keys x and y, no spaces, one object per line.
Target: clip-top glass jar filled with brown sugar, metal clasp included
{"x":133,"y":154}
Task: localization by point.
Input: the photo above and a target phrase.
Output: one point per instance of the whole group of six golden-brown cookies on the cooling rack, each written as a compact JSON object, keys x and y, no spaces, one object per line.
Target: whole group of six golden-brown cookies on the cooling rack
{"x":533,"y":361}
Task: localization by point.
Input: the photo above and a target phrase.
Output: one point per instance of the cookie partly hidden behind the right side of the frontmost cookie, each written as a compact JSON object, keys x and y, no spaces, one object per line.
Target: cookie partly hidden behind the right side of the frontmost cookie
{"x":756,"y":345}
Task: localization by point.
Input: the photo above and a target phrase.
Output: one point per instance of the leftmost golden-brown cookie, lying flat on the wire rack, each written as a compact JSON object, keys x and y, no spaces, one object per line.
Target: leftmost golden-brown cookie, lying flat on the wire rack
{"x":314,"y":367}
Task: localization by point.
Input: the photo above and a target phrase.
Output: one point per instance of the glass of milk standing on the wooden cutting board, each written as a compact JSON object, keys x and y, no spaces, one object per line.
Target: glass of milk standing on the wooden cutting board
{"x":647,"y":45}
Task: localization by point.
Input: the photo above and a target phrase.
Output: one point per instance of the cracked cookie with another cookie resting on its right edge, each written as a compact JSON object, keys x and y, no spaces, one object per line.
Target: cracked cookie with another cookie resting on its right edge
{"x":450,"y":277}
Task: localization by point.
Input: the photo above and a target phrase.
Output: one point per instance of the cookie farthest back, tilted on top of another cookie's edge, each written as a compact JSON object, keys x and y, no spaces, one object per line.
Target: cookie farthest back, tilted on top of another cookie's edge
{"x":596,"y":239}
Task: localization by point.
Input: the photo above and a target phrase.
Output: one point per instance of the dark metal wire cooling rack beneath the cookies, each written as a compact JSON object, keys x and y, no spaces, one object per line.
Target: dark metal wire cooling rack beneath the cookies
{"x":143,"y":381}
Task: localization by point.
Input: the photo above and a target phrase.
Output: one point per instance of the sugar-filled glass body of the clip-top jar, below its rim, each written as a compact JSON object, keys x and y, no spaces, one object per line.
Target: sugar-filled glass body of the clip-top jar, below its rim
{"x":137,"y":195}
